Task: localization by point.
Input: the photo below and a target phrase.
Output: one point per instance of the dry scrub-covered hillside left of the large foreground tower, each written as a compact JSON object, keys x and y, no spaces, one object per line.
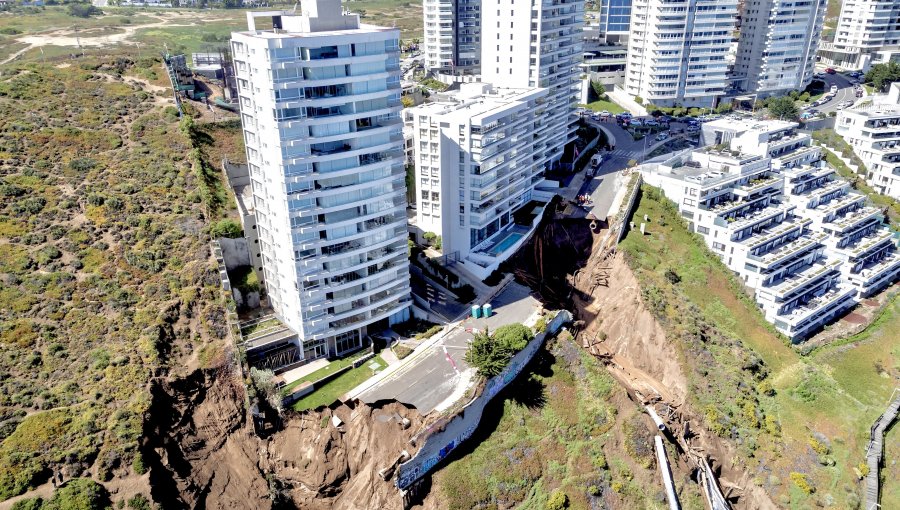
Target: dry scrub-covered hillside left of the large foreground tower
{"x":105,"y":276}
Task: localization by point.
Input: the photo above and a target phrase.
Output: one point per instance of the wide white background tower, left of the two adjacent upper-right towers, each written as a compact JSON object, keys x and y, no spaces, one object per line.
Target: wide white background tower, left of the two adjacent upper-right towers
{"x":677,"y":51}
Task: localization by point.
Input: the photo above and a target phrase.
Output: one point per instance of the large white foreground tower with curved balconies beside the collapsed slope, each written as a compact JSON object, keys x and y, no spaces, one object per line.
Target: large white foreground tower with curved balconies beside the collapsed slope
{"x":320,"y":108}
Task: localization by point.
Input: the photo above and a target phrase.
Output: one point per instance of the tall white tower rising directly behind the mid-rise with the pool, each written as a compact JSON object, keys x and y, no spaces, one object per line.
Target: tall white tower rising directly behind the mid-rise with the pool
{"x":537,"y":43}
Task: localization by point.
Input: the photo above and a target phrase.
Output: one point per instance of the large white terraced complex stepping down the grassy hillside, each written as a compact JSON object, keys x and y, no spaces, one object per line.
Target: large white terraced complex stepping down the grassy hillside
{"x":780,"y":218}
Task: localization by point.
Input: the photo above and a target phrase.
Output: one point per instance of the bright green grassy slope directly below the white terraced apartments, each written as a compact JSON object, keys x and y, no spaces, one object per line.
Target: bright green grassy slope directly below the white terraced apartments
{"x":837,"y":391}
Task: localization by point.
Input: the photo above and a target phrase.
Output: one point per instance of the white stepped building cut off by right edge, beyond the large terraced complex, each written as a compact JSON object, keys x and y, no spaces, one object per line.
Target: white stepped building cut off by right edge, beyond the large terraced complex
{"x":873,"y":131}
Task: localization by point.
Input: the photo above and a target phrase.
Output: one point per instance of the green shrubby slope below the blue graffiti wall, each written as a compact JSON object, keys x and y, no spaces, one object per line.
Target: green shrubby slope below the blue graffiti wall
{"x":554,"y":428}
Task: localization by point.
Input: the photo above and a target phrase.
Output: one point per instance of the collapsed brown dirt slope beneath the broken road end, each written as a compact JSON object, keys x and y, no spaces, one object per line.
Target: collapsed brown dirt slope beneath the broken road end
{"x":204,"y":455}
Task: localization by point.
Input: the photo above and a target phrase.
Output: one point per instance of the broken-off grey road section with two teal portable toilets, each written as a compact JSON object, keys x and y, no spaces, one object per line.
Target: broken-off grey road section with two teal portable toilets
{"x":432,"y":377}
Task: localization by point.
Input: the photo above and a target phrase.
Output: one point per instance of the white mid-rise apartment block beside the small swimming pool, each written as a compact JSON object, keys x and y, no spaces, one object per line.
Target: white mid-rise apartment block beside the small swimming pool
{"x":479,"y":156}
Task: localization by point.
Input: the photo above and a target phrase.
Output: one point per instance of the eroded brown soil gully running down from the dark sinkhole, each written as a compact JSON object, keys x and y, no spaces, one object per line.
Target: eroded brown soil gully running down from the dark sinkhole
{"x":603,"y":293}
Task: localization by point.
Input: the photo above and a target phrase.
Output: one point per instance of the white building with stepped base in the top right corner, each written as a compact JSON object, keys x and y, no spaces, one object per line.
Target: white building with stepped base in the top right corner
{"x":867,"y":33}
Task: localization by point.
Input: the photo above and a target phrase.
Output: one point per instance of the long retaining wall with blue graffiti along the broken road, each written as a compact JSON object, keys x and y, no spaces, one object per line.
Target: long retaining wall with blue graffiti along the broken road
{"x":447,"y":434}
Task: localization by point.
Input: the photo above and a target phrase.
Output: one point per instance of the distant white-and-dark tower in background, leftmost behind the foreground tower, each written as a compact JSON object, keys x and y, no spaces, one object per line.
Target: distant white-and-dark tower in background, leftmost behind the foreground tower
{"x":452,"y":38}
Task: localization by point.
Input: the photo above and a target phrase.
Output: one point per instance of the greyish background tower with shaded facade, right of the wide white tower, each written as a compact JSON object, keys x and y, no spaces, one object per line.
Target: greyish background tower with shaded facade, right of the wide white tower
{"x":778,"y":43}
